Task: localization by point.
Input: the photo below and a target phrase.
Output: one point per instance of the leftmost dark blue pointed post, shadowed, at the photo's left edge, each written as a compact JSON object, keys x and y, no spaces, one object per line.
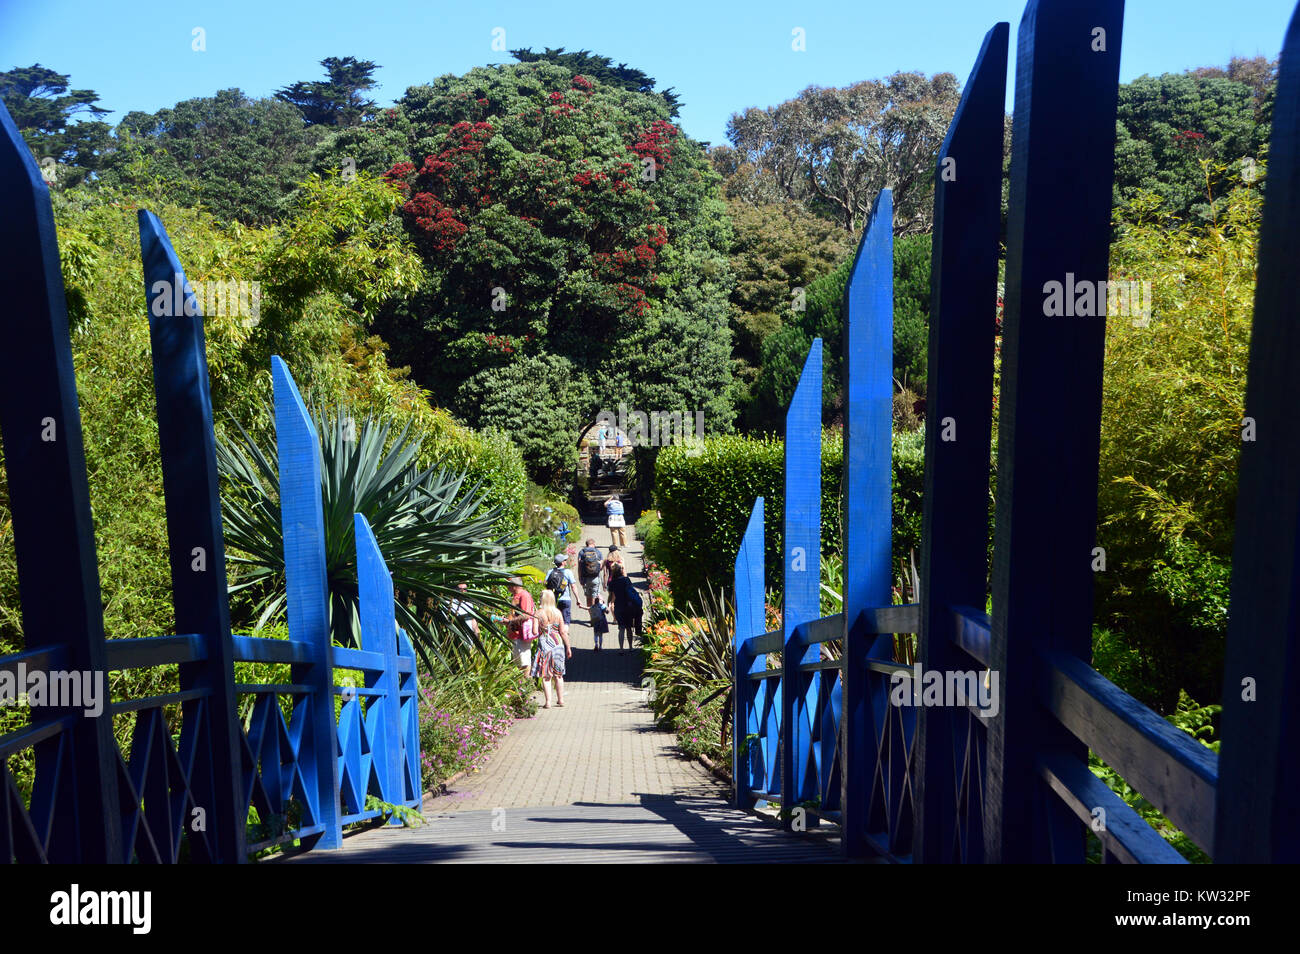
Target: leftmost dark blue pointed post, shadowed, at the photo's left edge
{"x":50,"y":502}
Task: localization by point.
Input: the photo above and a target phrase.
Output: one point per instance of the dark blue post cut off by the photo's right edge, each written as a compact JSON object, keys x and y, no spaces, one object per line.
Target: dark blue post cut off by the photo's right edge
{"x":1260,"y":757}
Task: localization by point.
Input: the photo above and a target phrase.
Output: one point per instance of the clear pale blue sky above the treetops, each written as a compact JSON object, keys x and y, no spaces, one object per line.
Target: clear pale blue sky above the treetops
{"x":720,"y":58}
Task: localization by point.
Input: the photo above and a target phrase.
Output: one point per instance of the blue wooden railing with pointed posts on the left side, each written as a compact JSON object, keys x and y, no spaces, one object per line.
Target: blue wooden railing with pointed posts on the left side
{"x":184,"y":787}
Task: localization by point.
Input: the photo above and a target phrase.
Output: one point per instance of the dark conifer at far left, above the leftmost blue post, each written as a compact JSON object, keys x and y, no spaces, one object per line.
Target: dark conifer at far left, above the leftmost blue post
{"x":44,"y":109}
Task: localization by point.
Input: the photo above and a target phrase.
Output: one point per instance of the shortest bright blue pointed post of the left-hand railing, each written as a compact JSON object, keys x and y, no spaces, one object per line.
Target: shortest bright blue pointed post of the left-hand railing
{"x":379,"y":635}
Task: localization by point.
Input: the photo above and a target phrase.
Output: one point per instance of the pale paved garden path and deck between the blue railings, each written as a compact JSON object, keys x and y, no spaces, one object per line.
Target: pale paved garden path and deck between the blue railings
{"x":593,"y":782}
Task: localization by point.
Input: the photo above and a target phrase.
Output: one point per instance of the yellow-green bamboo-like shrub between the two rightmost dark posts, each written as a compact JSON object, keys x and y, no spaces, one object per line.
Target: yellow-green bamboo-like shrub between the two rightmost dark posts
{"x":1171,"y":440}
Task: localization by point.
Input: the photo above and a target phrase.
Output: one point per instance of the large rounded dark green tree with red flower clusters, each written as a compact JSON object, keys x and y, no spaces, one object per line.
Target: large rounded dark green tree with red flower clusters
{"x":575,"y":255}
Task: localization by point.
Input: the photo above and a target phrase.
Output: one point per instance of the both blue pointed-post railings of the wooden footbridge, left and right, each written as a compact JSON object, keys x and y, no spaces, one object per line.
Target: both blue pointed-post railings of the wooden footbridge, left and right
{"x":980,"y":753}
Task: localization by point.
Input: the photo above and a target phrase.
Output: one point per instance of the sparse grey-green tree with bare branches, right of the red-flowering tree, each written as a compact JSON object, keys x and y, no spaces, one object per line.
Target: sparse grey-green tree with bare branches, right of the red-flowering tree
{"x":835,"y":150}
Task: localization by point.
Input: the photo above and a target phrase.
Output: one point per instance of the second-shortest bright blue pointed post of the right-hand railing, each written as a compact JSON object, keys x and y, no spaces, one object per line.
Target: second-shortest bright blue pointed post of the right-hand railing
{"x":803,"y":558}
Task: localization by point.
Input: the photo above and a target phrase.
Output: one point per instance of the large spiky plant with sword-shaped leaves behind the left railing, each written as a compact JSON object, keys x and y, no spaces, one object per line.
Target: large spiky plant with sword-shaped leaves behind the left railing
{"x":434,"y":532}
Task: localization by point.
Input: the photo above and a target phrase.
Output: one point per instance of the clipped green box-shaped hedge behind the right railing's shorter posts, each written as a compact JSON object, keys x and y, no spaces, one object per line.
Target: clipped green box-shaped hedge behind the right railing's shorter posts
{"x":705,"y":502}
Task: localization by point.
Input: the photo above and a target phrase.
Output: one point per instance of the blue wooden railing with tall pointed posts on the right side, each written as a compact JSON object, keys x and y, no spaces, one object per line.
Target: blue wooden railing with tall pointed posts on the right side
{"x":834,"y":731}
